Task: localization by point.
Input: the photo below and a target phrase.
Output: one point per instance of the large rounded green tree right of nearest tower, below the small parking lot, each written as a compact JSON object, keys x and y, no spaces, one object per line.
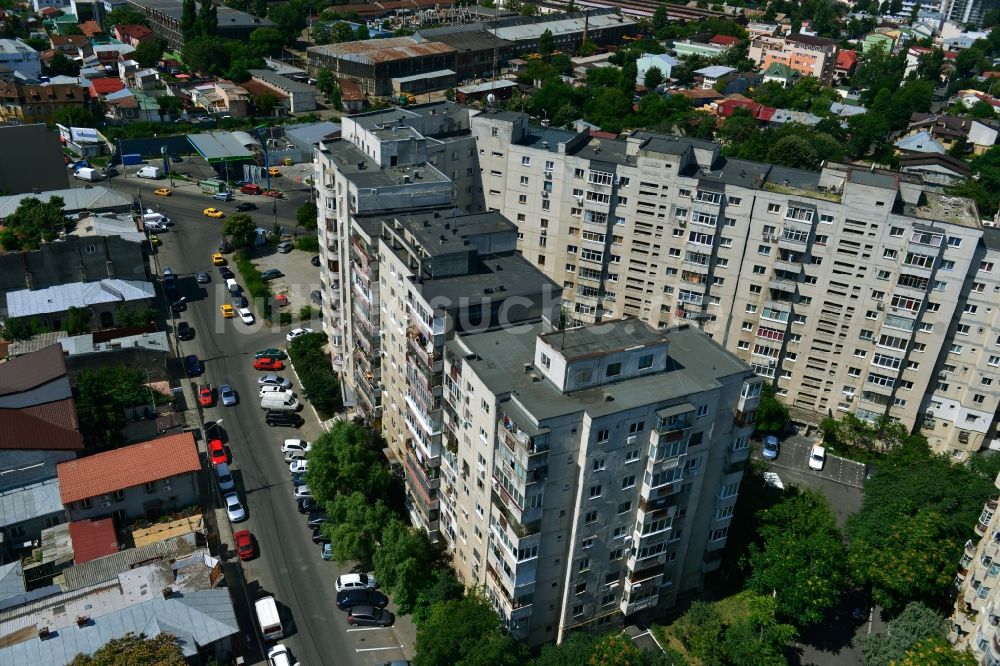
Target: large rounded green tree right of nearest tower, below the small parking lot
{"x":801,"y":559}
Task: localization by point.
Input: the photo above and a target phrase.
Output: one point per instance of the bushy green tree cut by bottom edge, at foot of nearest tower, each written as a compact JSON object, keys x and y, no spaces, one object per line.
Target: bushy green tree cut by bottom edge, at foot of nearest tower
{"x":477,"y":640}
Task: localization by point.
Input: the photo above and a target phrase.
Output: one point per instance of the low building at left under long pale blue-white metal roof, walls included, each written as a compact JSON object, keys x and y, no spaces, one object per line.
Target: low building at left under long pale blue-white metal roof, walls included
{"x":103,"y":298}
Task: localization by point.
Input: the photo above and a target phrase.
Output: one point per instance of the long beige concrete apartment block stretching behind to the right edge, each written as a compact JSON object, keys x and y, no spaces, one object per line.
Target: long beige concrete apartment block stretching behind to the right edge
{"x":854,"y":290}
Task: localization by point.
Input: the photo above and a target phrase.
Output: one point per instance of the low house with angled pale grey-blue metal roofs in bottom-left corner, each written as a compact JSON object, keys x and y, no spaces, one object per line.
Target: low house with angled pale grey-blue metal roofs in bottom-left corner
{"x":175,"y":596}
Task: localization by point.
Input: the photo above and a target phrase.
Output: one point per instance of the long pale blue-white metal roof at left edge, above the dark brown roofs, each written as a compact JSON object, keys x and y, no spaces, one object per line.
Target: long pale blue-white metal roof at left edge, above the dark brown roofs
{"x":59,"y":298}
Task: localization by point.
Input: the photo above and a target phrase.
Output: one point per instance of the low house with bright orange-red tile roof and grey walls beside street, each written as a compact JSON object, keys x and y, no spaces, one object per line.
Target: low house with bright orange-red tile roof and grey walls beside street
{"x":143,"y":480}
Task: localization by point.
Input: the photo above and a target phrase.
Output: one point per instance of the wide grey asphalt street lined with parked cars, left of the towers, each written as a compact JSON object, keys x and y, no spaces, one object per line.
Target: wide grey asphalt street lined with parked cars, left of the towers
{"x":288,"y":564}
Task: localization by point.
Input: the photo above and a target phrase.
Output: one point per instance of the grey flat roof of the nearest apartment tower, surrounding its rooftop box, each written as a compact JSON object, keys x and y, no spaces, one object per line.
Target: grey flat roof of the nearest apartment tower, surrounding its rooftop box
{"x":695,"y":364}
